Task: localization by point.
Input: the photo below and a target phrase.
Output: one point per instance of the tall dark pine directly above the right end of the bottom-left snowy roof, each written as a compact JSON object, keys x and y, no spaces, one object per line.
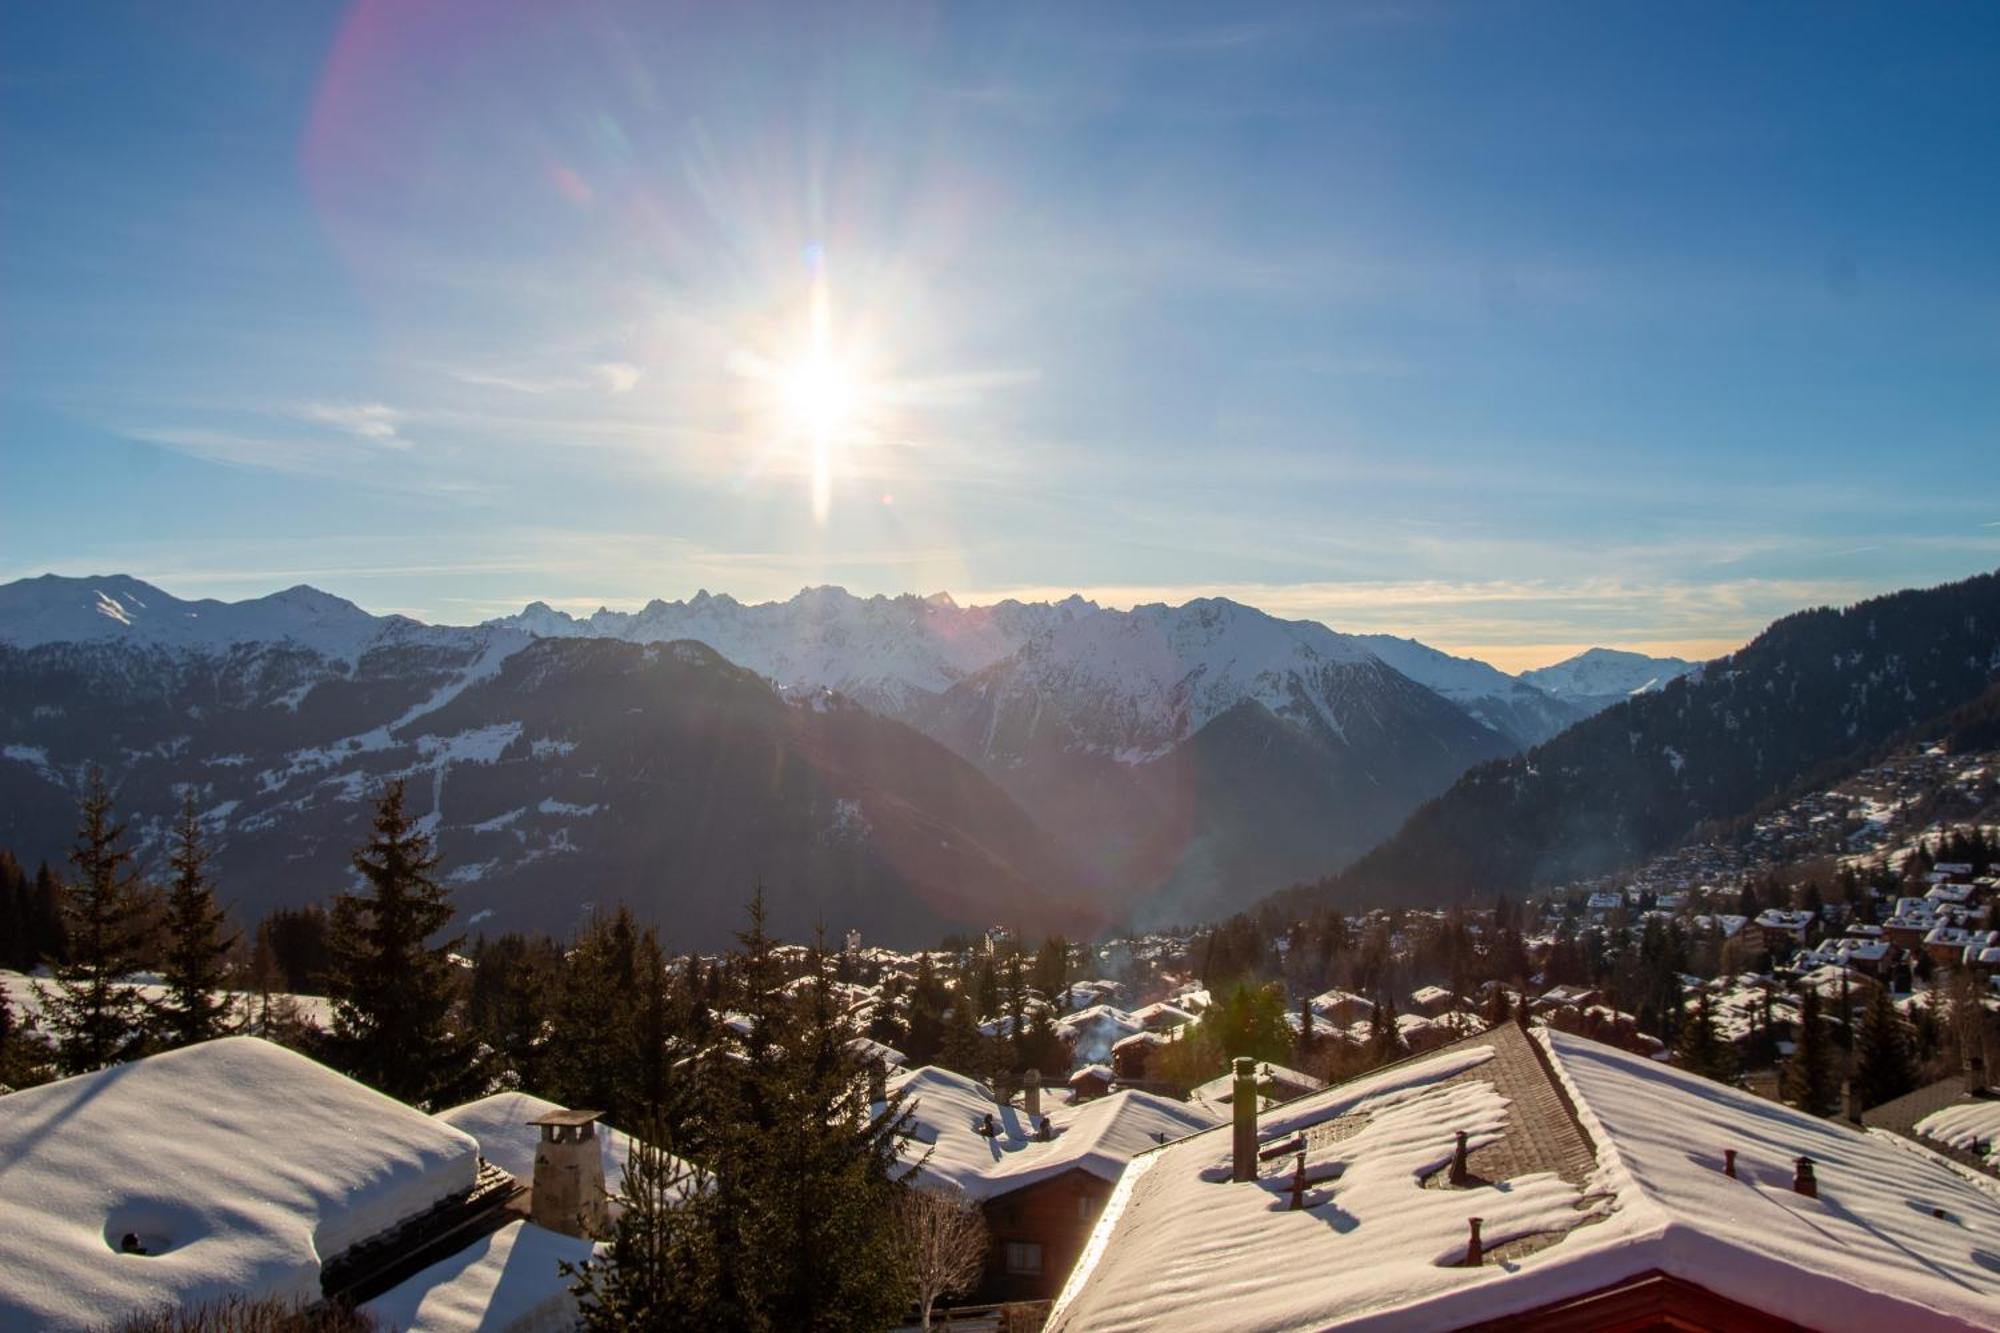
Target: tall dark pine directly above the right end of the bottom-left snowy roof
{"x":393,"y":990}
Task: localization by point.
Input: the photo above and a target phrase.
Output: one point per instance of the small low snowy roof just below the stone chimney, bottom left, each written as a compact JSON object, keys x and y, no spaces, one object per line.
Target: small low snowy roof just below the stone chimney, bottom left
{"x":509,"y":1282}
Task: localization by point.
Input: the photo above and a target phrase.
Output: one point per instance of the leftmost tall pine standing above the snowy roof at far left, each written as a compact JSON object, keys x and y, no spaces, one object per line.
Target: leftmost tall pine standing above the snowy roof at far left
{"x":95,"y":1018}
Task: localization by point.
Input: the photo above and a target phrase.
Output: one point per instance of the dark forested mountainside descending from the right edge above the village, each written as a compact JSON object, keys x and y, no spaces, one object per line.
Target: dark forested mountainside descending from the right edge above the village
{"x":1805,"y":702}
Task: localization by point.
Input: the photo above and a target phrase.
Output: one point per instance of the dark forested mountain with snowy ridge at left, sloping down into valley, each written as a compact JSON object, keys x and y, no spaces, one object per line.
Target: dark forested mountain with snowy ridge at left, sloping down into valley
{"x":553,"y":774}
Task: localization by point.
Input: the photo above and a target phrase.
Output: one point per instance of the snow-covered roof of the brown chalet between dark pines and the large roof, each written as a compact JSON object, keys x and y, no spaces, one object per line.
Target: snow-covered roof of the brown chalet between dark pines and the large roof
{"x":1097,"y":1136}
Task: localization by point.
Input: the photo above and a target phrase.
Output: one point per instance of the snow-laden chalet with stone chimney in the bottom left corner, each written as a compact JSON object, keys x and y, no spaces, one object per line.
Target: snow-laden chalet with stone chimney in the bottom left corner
{"x":239,"y":1168}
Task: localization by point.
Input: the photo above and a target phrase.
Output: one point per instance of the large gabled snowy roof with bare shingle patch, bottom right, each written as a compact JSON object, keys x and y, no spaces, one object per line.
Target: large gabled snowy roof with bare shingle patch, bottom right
{"x":1375,"y":1250}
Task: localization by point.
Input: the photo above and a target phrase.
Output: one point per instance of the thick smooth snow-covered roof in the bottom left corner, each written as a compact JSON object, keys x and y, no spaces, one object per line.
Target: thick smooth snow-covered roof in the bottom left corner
{"x":241,"y":1168}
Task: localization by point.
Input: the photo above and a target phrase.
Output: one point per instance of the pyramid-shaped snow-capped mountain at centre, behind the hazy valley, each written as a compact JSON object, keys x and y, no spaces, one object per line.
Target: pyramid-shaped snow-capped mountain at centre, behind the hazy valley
{"x":1183,"y":752}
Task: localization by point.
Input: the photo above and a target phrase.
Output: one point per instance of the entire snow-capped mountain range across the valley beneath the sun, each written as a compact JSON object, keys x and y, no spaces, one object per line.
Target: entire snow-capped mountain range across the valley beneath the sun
{"x":905,"y":766}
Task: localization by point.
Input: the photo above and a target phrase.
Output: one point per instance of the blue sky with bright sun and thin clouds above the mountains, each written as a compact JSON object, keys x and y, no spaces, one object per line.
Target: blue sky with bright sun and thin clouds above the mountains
{"x":1509,"y":327}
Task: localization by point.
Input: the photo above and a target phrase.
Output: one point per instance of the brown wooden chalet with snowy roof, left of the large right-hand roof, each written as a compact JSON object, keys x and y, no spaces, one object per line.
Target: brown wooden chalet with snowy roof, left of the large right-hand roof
{"x":1039,"y":1174}
